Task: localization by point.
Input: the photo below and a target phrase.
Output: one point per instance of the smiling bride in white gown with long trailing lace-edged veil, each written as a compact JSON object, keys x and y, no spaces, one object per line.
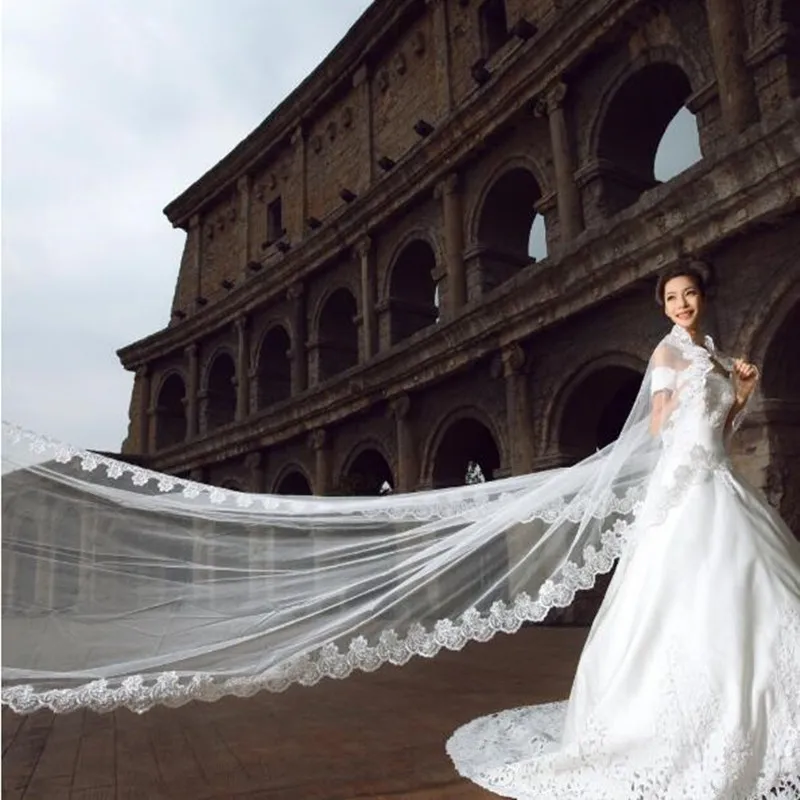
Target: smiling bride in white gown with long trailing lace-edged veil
{"x":123,"y":587}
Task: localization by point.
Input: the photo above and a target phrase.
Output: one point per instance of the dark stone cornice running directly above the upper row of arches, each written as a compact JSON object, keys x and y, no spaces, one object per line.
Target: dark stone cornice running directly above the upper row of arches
{"x":539,"y":62}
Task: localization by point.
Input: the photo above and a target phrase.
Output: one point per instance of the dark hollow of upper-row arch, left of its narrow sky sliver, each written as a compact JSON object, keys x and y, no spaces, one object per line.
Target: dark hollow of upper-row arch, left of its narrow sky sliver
{"x":509,"y":228}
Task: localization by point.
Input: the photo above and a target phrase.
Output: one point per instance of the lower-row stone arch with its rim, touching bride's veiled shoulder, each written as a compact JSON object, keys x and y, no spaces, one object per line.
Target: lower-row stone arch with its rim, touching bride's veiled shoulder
{"x":589,"y":411}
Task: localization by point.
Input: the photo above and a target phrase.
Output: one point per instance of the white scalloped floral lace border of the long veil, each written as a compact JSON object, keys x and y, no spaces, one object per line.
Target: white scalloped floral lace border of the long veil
{"x":169,"y":688}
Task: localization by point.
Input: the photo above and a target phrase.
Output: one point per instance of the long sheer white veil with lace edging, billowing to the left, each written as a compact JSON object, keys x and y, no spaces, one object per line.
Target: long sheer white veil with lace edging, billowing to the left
{"x":126,"y":588}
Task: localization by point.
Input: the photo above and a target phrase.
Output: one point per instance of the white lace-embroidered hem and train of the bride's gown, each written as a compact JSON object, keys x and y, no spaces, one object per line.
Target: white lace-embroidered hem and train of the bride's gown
{"x":693,"y":752}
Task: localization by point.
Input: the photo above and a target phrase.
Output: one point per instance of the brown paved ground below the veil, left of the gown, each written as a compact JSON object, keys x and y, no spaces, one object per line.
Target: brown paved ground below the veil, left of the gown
{"x":371,"y":737}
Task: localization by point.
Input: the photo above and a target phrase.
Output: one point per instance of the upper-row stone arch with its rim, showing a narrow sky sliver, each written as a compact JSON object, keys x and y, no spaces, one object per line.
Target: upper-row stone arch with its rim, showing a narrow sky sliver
{"x":502,"y":222}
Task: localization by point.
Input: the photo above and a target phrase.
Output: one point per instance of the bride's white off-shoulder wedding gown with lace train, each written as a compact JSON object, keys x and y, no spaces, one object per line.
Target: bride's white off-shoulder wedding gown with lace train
{"x":689,"y":683}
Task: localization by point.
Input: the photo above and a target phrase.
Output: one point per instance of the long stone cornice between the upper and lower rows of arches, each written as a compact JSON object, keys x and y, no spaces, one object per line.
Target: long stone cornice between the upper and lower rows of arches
{"x":634,"y":248}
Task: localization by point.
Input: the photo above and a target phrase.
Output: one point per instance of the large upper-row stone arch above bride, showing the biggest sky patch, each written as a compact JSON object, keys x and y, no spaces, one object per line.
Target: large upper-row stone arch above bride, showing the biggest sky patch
{"x":634,"y":114}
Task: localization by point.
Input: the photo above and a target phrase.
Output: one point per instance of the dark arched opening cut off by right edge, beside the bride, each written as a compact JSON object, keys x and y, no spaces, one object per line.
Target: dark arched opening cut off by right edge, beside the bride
{"x":780,"y":387}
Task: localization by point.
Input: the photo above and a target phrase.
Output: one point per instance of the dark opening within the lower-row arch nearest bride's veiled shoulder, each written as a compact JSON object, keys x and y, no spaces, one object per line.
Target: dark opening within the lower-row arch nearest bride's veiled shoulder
{"x":597,"y":409}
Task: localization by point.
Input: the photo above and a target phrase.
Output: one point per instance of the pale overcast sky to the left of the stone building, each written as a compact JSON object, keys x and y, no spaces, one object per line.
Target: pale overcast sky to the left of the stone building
{"x":111,"y":108}
